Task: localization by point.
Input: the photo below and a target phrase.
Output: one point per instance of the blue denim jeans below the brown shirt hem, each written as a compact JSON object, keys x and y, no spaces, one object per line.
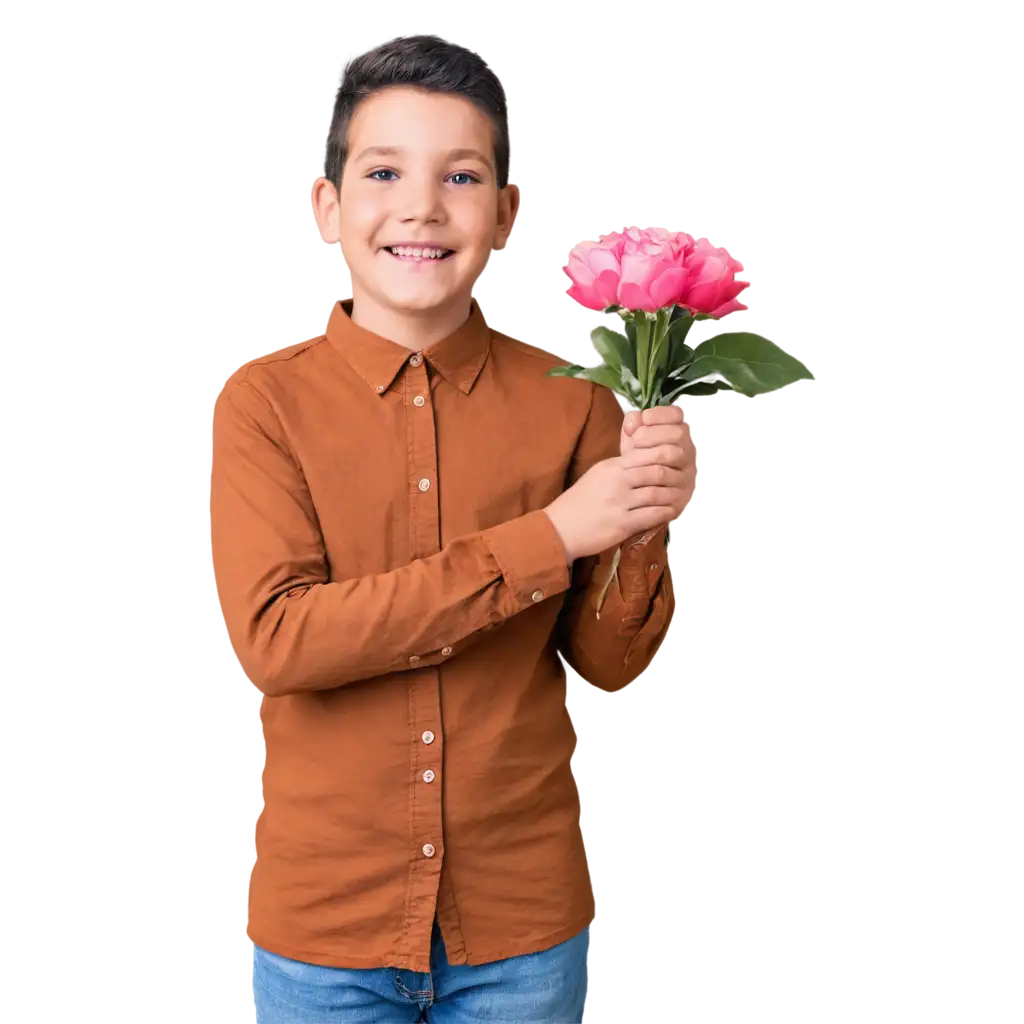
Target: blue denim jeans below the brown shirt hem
{"x":539,"y":989}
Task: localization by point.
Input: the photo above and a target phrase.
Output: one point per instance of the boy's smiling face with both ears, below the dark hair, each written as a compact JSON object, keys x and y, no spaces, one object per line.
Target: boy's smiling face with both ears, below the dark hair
{"x":420,"y":177}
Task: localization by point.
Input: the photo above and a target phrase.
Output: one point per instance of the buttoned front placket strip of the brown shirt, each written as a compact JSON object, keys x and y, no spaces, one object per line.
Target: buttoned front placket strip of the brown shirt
{"x":424,"y":690}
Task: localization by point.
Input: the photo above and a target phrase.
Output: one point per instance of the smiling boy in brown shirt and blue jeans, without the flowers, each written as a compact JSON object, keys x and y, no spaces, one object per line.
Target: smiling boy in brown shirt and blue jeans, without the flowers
{"x":405,"y":516}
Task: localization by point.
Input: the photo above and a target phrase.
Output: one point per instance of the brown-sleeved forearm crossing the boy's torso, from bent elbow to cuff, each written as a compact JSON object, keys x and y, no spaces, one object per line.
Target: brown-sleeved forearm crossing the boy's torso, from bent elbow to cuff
{"x":323,"y":635}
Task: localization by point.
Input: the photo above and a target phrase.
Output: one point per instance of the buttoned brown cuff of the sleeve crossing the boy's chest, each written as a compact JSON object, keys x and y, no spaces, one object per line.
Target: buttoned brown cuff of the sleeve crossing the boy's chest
{"x":531,"y":557}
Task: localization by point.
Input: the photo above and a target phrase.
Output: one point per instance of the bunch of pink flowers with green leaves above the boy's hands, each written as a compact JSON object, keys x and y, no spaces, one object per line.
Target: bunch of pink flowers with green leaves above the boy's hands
{"x":661,"y":293}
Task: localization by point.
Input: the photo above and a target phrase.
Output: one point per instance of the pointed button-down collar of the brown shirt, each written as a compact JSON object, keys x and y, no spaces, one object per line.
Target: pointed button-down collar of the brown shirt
{"x":459,"y":358}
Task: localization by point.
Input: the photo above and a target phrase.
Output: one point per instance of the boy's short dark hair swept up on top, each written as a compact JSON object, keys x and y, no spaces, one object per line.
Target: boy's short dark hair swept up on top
{"x":429,"y":63}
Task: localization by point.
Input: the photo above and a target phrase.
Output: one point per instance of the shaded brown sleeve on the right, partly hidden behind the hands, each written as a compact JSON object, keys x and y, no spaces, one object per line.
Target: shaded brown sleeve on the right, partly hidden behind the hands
{"x":615,"y":648}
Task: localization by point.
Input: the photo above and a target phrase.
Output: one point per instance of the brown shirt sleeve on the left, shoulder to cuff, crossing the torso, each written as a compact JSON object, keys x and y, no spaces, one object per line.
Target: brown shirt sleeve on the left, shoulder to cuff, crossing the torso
{"x":291,"y":628}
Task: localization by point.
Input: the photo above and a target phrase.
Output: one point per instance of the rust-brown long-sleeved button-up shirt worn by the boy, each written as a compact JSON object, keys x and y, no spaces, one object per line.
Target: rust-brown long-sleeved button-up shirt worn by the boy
{"x":389,"y":582}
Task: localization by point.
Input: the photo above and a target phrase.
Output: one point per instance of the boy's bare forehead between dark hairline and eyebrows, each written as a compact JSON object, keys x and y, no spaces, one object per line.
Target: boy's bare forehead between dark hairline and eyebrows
{"x":402,"y":118}
